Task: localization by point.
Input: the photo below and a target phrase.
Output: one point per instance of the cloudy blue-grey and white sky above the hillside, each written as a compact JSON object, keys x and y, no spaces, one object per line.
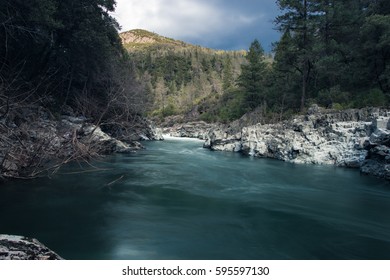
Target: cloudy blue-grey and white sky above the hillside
{"x":218,"y":24}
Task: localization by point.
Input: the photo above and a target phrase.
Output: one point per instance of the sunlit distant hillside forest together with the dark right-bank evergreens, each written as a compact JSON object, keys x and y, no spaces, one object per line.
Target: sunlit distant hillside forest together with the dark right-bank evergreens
{"x":332,"y":53}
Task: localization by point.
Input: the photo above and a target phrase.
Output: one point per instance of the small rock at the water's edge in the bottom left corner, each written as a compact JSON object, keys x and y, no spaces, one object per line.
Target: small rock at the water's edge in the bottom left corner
{"x":14,"y":247}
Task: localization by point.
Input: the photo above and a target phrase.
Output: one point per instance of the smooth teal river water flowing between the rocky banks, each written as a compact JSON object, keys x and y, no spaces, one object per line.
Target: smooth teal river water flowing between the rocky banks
{"x":176,"y":200}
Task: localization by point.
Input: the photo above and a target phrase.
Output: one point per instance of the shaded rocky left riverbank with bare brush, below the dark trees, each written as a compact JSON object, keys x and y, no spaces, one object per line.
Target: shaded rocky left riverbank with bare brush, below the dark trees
{"x":34,"y":143}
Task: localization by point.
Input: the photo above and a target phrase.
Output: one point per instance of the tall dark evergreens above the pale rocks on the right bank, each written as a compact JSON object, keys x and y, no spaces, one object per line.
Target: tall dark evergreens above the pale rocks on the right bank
{"x":334,"y":52}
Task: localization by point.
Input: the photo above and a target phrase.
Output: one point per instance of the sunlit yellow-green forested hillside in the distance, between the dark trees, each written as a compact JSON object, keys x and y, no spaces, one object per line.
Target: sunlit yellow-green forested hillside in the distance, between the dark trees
{"x":181,"y":78}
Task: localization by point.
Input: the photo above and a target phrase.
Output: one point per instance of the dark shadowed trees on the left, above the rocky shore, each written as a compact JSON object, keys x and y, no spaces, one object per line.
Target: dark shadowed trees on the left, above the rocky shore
{"x":63,"y":54}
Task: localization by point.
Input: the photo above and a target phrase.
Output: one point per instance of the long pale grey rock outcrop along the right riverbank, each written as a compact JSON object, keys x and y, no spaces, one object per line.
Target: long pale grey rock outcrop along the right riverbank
{"x":350,"y":138}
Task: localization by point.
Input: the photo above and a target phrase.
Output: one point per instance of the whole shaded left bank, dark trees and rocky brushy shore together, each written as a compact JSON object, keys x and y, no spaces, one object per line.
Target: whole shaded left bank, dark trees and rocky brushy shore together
{"x":64,"y":75}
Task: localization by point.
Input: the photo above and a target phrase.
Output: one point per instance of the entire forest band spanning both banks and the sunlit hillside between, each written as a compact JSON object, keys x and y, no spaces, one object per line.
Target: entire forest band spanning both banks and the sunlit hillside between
{"x":68,"y":53}
